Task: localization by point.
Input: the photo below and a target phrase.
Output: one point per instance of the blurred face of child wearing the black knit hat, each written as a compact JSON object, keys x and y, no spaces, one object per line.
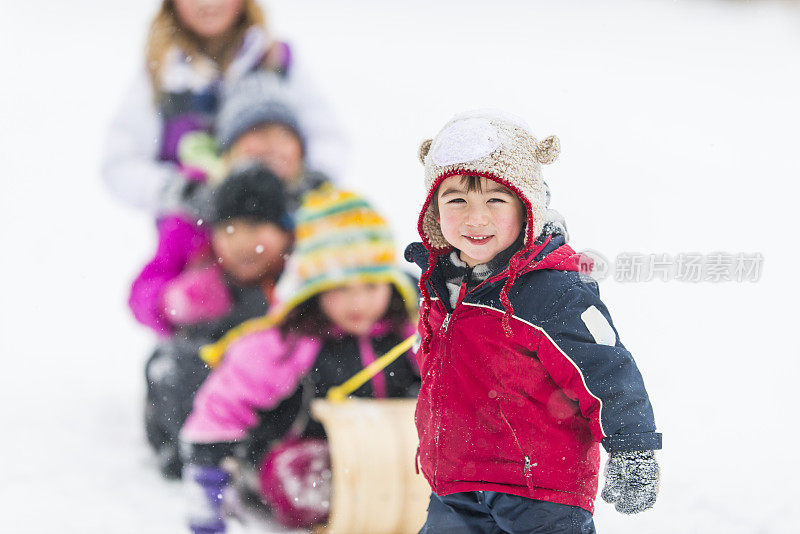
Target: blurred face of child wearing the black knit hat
{"x":250,"y":250}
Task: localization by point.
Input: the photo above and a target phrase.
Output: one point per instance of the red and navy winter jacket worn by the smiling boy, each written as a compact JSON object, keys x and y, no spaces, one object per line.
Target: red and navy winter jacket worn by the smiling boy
{"x":524,"y":414}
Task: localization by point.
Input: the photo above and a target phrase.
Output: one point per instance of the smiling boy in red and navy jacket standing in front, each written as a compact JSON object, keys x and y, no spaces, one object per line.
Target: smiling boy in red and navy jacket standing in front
{"x":523,"y":373}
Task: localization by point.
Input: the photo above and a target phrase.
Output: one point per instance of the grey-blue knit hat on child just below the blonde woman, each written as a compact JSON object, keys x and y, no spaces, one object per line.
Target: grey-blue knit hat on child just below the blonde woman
{"x":258,"y":98}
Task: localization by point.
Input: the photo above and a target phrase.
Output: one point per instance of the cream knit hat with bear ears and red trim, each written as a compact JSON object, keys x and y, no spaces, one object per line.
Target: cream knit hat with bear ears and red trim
{"x":497,"y":146}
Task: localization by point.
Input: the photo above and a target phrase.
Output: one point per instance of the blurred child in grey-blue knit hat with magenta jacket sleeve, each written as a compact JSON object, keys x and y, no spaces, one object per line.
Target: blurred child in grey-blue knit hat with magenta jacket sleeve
{"x":257,"y":122}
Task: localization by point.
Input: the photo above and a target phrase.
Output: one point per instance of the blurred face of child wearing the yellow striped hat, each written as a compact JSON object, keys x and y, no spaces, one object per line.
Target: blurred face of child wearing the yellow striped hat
{"x":357,"y":306}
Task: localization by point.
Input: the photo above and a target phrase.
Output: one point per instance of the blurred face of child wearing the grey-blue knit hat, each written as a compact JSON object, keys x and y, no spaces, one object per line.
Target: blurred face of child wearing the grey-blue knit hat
{"x":274,"y":145}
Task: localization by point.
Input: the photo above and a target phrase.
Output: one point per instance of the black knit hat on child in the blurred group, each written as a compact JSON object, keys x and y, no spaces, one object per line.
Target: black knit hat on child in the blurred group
{"x":252,"y":192}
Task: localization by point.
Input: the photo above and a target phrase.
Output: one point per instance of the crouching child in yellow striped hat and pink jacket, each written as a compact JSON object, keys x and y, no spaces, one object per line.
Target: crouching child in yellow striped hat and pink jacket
{"x":341,"y":304}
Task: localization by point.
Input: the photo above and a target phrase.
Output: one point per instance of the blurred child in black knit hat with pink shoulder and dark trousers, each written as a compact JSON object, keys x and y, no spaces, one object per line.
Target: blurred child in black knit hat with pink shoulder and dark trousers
{"x":251,"y":232}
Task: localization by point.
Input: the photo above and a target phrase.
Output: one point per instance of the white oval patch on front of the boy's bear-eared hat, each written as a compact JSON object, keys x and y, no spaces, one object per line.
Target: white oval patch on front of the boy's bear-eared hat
{"x":464,"y":141}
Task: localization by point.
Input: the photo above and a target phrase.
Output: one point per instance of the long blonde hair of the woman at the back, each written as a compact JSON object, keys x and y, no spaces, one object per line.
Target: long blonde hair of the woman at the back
{"x":167,"y":31}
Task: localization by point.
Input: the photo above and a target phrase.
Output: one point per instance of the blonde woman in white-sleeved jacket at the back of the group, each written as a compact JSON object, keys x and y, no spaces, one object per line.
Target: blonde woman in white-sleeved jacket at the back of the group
{"x":195,"y":49}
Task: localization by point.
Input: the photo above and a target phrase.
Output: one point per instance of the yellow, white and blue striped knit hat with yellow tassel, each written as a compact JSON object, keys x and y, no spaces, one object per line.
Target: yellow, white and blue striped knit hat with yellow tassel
{"x":339,"y":238}
